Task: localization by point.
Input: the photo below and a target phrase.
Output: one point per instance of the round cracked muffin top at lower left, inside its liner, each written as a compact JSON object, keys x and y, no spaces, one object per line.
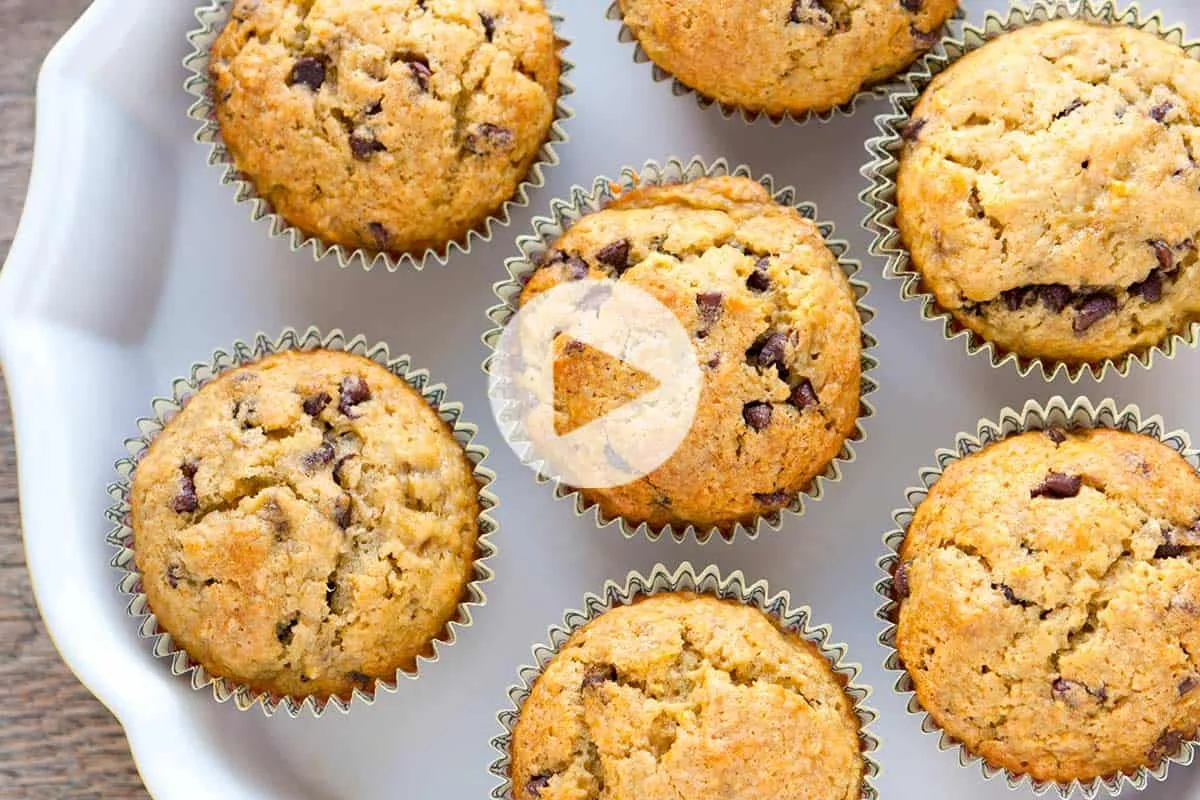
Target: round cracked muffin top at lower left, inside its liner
{"x":305,"y":526}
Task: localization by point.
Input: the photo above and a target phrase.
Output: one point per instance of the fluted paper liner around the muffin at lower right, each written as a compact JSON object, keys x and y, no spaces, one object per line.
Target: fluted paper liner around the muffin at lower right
{"x":1034,"y":417}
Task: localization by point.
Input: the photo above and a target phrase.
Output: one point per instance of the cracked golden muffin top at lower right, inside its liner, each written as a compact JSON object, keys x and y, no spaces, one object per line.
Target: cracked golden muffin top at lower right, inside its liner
{"x":1051,"y":604}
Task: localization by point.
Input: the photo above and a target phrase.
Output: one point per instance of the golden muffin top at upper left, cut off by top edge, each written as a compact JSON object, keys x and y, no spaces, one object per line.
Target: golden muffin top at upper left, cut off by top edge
{"x":393,"y":125}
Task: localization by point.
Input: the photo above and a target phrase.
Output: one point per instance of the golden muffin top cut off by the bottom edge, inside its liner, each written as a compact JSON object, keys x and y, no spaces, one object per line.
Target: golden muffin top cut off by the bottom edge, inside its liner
{"x":673,"y":697}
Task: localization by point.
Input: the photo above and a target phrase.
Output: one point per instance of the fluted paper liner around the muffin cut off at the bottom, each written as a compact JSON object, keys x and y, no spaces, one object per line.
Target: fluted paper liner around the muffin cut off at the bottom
{"x":707,"y":582}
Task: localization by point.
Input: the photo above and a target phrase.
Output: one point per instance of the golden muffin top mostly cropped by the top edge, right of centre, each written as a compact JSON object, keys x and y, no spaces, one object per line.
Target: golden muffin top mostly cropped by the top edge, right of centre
{"x":785,"y":57}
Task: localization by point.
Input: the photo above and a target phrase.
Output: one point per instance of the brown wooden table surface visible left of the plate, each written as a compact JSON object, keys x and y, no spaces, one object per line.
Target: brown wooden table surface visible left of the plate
{"x":56,"y":741}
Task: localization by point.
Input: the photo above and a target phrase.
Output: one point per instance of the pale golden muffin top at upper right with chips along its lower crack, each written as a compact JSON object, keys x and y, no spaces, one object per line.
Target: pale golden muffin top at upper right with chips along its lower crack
{"x":1048,"y":191}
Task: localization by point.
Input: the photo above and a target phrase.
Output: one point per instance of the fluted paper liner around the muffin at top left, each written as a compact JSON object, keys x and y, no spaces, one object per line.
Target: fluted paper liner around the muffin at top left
{"x":213,"y":19}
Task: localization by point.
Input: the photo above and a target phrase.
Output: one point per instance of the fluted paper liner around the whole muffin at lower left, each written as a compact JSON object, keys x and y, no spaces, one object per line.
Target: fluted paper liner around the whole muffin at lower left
{"x":166,"y":408}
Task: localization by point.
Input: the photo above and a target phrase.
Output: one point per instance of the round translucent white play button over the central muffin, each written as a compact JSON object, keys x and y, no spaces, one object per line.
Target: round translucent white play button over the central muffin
{"x":595,"y":383}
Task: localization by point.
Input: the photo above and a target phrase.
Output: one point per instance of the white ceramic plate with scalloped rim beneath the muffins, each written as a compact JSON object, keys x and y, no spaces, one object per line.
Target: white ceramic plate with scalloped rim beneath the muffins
{"x":133,"y":263}
